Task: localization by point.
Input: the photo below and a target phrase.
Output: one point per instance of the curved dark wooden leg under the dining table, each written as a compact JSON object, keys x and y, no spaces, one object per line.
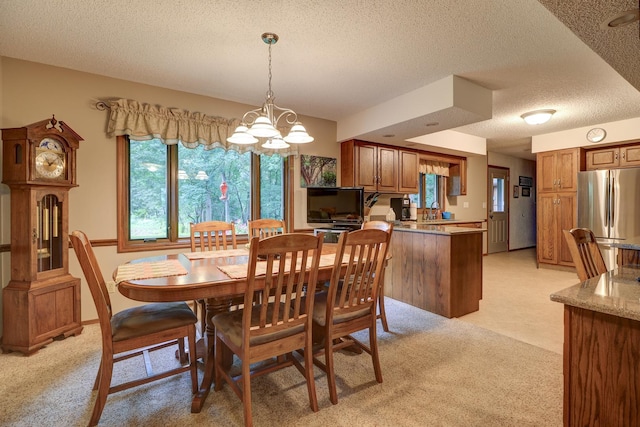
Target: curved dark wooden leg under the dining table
{"x":214,"y":306}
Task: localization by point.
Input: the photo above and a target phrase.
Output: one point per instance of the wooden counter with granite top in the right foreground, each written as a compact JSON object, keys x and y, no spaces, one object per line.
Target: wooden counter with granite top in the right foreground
{"x":602,"y":349}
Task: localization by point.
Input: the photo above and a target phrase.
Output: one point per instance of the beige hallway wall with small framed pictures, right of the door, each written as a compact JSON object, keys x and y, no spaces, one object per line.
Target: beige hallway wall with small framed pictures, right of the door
{"x":522,"y":211}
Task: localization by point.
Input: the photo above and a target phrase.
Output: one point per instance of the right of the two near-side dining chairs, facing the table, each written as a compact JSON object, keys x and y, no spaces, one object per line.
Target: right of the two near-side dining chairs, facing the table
{"x":349,"y":305}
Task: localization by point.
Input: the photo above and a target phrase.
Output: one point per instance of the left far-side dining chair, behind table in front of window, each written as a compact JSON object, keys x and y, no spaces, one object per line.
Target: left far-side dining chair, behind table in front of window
{"x":209,"y":236}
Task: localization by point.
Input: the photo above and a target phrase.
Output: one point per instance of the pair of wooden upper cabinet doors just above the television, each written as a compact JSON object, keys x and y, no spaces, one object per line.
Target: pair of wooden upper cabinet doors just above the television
{"x":368,"y":165}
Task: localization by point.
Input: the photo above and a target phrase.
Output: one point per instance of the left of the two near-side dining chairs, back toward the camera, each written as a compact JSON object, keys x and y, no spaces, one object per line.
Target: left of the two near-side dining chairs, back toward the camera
{"x":278,"y":326}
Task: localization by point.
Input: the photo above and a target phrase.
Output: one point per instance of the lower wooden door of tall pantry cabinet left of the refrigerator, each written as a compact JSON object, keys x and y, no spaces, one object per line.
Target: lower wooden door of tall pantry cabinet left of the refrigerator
{"x":556,"y":212}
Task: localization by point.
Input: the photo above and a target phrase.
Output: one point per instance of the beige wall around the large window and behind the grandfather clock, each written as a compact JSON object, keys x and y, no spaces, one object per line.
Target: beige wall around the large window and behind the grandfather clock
{"x":30,"y":92}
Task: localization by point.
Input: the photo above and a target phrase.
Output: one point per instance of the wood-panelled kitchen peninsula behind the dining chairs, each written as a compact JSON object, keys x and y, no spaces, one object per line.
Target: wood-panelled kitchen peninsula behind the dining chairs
{"x":436,"y":267}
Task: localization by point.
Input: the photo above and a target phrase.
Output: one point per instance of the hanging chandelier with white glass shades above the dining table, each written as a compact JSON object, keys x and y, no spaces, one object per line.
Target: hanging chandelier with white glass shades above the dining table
{"x":263,"y":122}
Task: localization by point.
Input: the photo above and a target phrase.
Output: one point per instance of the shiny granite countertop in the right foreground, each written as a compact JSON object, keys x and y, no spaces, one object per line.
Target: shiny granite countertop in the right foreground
{"x":616,"y":292}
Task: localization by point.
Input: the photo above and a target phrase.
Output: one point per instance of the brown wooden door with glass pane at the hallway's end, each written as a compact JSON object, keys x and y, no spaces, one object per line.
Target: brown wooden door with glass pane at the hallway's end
{"x":498,"y":197}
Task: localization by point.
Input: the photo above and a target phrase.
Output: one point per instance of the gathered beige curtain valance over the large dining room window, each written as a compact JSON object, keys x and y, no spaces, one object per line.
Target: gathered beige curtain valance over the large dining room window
{"x":172,"y":125}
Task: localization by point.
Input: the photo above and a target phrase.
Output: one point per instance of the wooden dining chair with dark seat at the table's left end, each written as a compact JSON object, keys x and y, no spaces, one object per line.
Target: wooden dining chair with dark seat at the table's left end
{"x":133,"y":332}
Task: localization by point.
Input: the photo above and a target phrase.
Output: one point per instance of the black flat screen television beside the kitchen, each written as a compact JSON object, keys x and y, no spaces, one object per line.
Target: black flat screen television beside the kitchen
{"x":335,"y":205}
